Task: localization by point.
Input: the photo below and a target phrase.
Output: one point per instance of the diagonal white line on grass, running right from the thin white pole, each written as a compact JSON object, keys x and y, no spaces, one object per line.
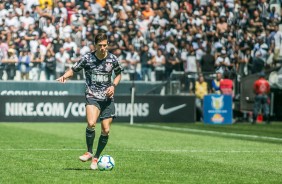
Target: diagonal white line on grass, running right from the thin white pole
{"x":210,"y":132}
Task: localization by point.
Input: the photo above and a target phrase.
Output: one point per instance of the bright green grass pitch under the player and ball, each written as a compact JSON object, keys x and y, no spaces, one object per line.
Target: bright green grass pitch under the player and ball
{"x":144,"y":153}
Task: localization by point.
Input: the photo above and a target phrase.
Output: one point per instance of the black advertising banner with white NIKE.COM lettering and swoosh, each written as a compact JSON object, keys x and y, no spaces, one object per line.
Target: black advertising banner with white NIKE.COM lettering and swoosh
{"x":72,"y":109}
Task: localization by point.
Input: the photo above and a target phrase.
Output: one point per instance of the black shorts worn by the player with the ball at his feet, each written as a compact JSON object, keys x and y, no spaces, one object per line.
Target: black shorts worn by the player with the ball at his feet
{"x":107,"y":108}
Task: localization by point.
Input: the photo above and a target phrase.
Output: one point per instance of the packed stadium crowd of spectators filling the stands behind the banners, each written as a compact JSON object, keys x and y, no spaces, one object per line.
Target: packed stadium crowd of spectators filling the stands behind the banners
{"x":40,"y":39}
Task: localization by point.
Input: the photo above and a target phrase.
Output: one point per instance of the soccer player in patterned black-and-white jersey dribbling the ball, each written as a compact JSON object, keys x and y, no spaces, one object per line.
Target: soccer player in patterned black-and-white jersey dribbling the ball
{"x":99,"y":66}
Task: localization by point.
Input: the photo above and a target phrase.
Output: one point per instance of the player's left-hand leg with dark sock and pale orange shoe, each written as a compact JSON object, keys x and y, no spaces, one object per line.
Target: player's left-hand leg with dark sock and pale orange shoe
{"x":92,"y":114}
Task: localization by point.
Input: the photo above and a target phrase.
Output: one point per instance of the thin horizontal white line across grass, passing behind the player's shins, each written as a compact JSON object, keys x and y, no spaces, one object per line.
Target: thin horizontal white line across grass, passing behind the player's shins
{"x":146,"y":150}
